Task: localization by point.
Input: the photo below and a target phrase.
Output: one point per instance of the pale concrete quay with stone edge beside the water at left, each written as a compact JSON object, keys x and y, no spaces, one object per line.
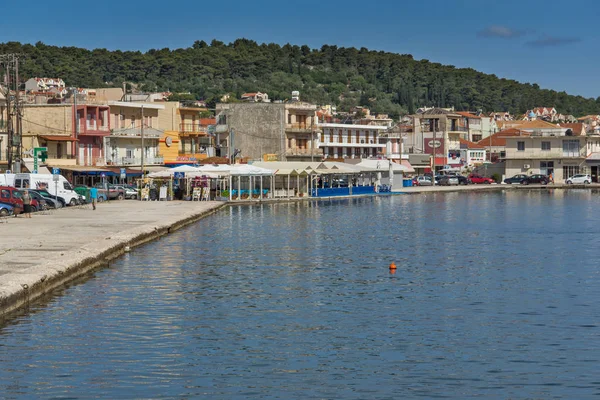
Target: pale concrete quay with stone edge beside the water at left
{"x":46,"y":251}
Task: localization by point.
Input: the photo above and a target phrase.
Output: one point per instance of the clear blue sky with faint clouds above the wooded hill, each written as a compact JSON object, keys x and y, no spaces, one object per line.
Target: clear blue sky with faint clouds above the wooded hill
{"x":551,"y":43}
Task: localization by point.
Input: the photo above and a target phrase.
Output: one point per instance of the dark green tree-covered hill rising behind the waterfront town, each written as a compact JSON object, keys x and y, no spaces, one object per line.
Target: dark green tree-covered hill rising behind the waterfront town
{"x":385,"y":82}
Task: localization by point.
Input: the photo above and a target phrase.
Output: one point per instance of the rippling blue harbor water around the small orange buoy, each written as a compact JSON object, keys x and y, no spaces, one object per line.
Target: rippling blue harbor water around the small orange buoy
{"x":495,"y":296}
